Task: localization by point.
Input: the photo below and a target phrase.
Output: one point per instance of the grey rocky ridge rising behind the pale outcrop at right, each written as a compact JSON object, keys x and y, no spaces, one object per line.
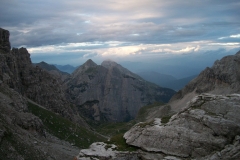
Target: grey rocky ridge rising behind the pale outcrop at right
{"x":222,"y":78}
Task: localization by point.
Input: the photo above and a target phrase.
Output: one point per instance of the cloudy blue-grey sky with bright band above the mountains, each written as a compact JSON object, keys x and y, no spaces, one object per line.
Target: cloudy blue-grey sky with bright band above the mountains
{"x":175,"y":37}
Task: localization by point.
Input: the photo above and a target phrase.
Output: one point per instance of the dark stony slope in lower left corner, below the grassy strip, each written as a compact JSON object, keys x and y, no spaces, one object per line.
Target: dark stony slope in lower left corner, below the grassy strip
{"x":23,"y":135}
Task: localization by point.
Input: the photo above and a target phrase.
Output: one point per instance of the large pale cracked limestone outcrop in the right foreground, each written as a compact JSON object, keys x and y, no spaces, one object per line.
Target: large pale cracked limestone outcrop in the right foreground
{"x":208,"y":123}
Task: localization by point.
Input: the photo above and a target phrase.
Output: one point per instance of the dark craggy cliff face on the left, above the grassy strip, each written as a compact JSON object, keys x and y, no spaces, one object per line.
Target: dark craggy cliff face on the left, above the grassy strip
{"x":33,"y":82}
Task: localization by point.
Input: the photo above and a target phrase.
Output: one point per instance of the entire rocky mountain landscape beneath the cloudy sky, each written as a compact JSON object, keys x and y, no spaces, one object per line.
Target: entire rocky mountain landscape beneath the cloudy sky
{"x":48,"y":114}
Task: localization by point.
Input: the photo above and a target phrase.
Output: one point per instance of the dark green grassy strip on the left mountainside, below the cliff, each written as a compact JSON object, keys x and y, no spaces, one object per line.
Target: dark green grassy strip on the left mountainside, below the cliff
{"x":65,"y":129}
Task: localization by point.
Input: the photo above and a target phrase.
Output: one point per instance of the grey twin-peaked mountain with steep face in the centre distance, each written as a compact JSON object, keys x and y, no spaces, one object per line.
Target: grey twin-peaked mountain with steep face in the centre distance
{"x":109,"y":92}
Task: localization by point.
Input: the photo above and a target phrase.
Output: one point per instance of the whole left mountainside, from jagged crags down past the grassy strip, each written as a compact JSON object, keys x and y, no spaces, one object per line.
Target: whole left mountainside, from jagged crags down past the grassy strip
{"x":50,"y":131}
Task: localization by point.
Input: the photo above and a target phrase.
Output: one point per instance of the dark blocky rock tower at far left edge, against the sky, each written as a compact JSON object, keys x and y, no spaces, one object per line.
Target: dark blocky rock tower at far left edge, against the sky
{"x":4,"y":40}
